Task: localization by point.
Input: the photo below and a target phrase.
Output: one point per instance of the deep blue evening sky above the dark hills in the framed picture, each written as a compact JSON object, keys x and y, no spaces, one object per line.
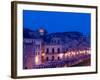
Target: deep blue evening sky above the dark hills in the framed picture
{"x":57,"y":21}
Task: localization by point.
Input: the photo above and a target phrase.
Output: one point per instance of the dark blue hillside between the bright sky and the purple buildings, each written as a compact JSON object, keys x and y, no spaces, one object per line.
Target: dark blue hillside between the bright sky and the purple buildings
{"x":62,"y":36}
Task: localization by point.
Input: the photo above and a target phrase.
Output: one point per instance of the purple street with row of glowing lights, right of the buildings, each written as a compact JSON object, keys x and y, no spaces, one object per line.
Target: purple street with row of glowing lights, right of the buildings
{"x":70,"y":60}
